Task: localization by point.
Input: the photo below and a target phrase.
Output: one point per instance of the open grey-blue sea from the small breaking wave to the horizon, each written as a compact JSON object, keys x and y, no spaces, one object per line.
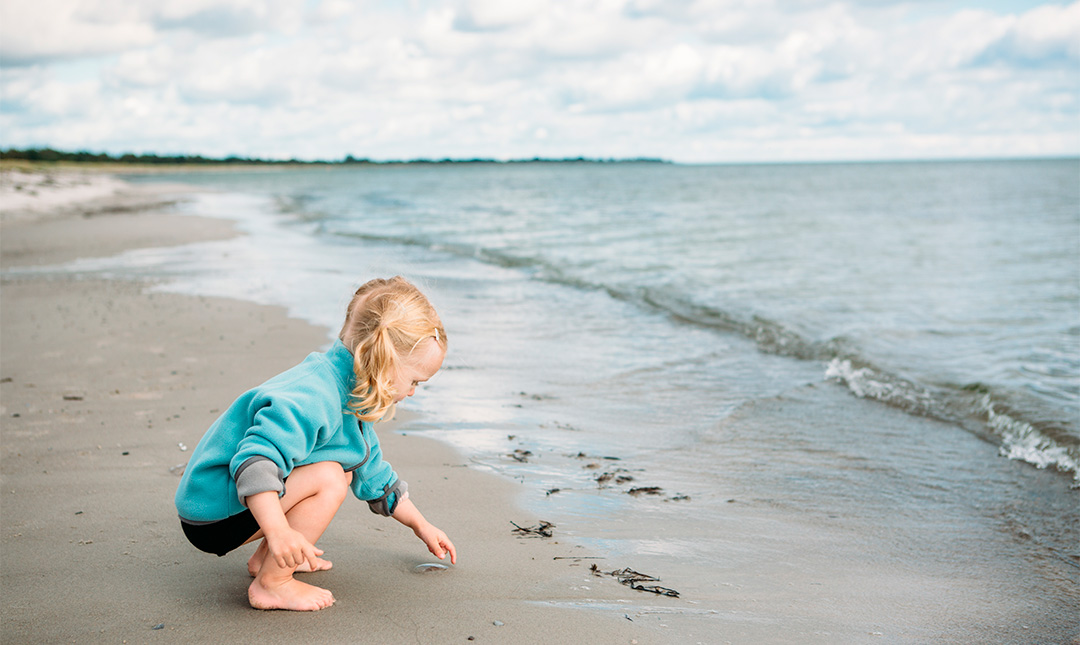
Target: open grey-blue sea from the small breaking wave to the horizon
{"x":949,"y":290}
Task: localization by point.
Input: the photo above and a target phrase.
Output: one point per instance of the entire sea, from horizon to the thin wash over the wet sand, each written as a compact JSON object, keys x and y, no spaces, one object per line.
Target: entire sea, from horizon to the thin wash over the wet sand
{"x":875,"y":365}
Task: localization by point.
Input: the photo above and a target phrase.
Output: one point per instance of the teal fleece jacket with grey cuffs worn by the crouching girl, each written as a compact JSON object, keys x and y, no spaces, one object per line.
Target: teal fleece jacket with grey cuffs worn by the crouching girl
{"x":296,"y":419}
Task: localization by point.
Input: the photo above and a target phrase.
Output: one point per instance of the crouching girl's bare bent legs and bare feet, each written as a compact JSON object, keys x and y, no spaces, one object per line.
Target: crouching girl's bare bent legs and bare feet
{"x":313,"y":498}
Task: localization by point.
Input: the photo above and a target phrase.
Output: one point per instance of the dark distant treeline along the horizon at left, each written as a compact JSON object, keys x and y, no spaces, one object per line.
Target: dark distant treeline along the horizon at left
{"x":84,"y":156}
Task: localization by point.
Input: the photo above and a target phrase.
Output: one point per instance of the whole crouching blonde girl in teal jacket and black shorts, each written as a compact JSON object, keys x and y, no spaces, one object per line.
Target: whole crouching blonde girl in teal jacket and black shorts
{"x":277,"y":465}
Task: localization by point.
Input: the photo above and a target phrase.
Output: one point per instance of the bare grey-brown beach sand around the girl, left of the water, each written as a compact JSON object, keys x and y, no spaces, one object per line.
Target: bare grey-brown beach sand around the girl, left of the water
{"x":104,"y":385}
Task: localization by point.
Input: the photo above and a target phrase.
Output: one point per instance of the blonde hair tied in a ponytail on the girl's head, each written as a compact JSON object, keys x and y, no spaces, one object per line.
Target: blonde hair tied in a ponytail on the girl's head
{"x":385,"y":322}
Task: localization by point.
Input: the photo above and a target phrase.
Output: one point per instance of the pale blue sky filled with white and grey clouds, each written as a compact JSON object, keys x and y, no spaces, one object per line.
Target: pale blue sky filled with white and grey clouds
{"x":694,"y":82}
